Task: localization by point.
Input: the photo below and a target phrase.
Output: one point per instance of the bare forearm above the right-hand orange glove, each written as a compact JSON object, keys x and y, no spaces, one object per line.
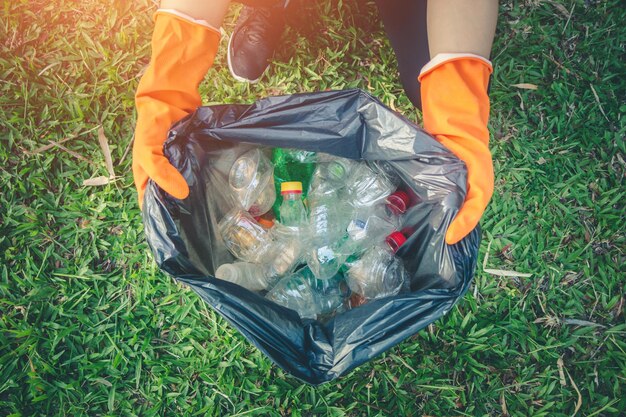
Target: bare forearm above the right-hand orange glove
{"x":461,"y":26}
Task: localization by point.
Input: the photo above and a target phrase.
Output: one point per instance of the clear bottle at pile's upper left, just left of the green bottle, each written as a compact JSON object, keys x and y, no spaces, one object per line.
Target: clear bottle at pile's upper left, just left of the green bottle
{"x":251,"y":178}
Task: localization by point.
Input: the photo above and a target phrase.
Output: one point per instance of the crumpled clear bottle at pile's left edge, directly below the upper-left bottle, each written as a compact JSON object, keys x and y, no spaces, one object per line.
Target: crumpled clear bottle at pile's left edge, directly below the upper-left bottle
{"x":243,"y":236}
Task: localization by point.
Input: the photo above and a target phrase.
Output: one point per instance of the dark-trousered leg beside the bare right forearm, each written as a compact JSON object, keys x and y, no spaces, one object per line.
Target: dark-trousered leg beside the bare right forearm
{"x":405,"y":25}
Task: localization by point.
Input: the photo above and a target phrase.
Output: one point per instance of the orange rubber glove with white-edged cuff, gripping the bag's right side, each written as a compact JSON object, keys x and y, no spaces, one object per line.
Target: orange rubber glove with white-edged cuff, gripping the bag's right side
{"x":455,"y":107}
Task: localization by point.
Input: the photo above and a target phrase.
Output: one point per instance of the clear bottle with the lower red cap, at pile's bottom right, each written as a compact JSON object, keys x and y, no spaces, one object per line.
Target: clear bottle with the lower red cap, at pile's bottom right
{"x":378,"y":272}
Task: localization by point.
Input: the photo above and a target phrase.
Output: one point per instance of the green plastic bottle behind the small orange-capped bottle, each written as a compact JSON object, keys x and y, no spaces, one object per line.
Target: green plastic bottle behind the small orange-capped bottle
{"x":291,"y":165}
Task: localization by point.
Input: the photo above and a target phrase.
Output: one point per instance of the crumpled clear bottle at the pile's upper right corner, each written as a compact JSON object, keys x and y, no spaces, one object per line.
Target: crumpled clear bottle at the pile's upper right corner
{"x":370,"y":183}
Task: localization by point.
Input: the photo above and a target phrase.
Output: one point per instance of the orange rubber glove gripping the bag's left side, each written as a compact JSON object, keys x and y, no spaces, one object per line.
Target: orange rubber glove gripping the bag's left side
{"x":183,"y":50}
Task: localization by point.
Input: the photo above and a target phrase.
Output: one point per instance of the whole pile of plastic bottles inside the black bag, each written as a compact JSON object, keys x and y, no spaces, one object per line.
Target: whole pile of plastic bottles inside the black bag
{"x":314,"y":232}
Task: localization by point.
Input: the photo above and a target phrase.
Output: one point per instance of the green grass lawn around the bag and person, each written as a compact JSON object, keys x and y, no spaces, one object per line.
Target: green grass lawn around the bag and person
{"x":89,"y":326}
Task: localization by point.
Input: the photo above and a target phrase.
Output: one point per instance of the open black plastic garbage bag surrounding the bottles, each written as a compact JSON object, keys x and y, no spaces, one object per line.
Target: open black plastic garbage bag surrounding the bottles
{"x":352,"y":124}
